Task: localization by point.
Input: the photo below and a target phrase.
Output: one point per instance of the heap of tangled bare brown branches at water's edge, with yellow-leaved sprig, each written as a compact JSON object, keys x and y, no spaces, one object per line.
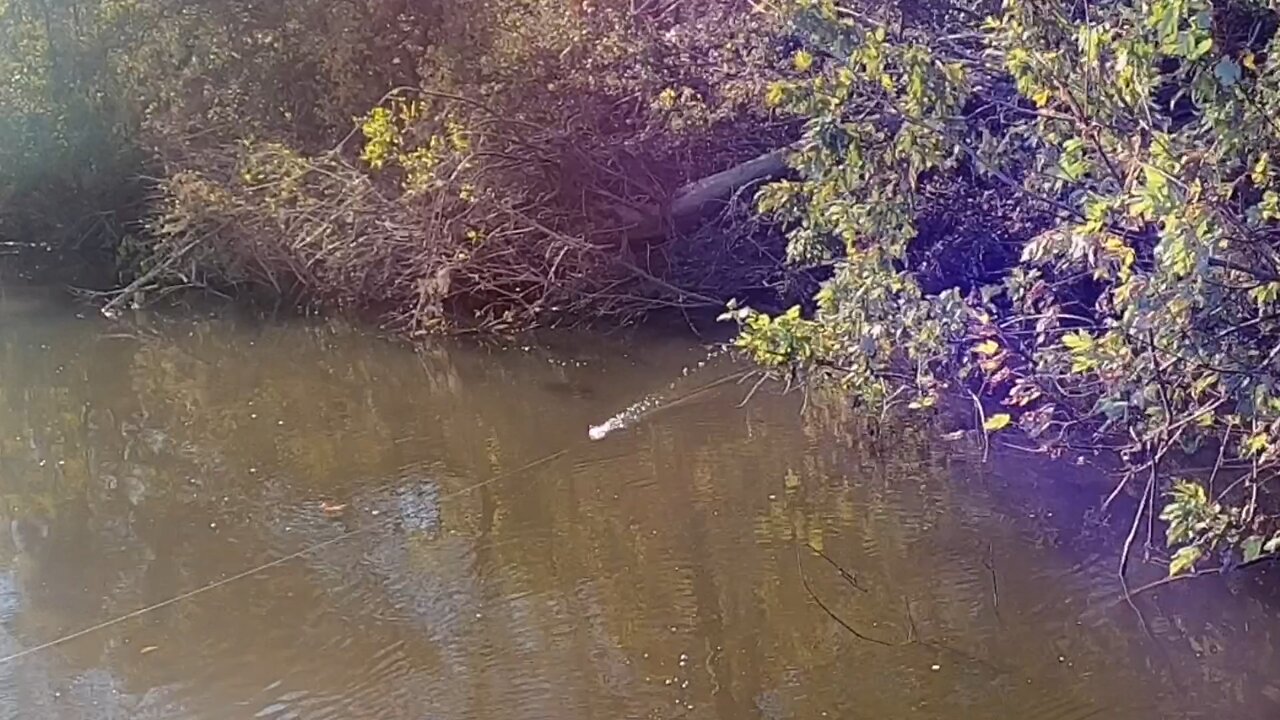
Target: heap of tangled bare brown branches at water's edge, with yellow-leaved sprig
{"x":452,"y":218}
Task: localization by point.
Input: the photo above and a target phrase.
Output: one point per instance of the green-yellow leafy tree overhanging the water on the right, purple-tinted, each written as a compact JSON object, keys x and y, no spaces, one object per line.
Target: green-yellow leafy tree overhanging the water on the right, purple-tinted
{"x":1139,"y":306}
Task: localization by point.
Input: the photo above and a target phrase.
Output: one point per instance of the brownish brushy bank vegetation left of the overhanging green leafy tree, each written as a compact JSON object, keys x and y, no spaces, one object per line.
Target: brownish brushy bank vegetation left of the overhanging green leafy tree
{"x":444,"y":163}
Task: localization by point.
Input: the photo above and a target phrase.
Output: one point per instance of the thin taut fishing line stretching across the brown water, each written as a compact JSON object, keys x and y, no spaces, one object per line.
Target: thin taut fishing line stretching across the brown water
{"x":336,"y":540}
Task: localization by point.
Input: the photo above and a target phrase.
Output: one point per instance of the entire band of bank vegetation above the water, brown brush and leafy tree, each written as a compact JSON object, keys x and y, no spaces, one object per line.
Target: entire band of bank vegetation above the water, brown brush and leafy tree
{"x":1063,"y":211}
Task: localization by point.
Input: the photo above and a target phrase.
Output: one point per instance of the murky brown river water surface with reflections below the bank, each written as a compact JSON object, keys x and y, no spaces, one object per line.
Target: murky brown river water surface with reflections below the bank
{"x":652,"y":575}
